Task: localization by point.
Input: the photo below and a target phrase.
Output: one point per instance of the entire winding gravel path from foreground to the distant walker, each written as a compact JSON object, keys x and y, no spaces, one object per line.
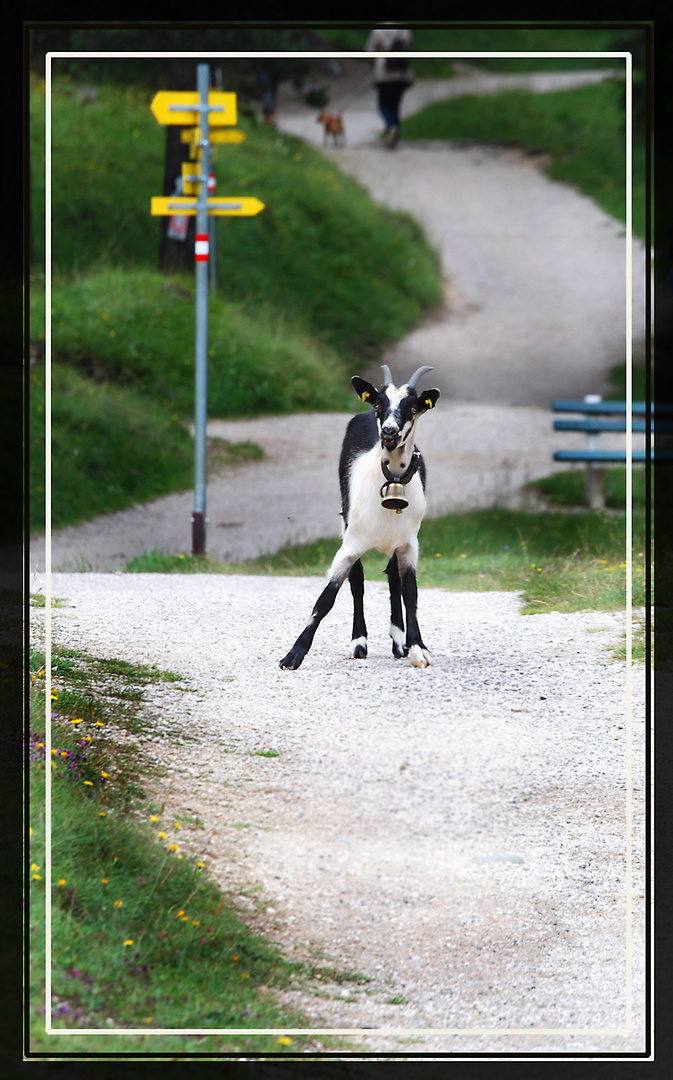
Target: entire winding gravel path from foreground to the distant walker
{"x":459,"y":835}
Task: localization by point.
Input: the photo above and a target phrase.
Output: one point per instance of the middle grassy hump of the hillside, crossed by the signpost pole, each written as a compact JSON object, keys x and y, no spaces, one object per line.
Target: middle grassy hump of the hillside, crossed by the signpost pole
{"x":136,"y":330}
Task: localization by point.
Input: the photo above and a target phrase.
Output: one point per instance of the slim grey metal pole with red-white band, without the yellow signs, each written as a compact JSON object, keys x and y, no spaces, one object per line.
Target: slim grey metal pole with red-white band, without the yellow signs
{"x":201,"y":256}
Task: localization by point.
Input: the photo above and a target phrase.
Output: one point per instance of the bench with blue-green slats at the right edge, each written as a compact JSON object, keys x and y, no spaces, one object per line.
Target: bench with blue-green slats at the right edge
{"x":598,"y":417}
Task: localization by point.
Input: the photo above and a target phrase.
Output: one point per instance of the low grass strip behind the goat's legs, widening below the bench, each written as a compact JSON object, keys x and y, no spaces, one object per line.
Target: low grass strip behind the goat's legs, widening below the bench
{"x":563,"y":562}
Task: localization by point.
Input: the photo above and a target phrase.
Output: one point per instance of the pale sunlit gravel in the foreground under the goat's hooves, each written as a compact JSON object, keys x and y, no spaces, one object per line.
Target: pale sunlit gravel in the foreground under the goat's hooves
{"x":457,"y":835}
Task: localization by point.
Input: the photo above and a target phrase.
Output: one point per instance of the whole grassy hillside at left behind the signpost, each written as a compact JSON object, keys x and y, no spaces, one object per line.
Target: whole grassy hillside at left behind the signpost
{"x":308,"y":292}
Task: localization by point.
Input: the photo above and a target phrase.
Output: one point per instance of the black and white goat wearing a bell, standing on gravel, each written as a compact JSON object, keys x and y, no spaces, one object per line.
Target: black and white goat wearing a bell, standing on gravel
{"x":383,"y":480}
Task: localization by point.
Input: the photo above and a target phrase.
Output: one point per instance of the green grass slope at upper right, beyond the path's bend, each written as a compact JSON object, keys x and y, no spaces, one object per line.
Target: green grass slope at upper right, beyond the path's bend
{"x":583,"y":130}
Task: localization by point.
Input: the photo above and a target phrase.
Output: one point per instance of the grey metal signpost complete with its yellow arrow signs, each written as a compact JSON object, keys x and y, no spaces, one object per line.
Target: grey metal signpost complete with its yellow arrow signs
{"x":200,"y":111}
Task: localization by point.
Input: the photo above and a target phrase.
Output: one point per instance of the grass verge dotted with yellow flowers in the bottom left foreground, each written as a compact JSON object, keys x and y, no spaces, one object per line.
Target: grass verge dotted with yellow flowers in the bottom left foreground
{"x":141,"y":934}
